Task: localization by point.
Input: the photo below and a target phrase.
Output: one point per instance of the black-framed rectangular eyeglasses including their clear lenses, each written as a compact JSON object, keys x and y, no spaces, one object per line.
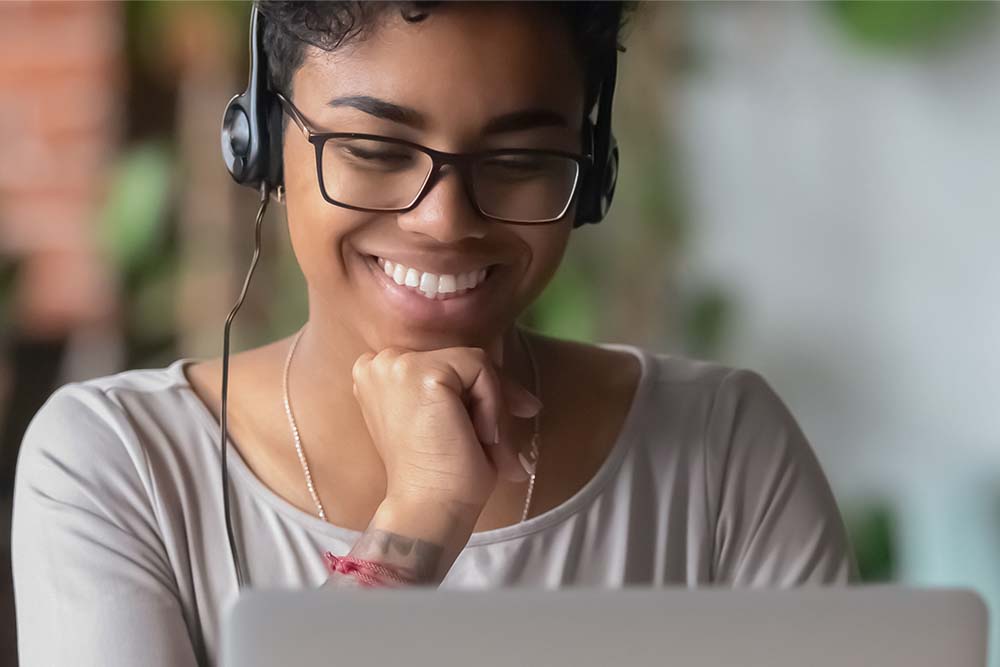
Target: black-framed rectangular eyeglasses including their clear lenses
{"x":367,"y":172}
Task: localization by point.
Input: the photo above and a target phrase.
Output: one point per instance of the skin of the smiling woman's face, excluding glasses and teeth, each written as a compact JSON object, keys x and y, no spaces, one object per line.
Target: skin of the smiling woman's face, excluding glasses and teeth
{"x":453,"y":75}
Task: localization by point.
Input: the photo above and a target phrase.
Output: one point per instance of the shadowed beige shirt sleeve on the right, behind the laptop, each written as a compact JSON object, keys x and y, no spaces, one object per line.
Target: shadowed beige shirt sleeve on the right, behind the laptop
{"x":776,"y":521}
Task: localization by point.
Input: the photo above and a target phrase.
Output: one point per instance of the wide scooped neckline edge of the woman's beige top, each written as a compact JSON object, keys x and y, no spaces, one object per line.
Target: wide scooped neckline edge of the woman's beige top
{"x":626,"y":436}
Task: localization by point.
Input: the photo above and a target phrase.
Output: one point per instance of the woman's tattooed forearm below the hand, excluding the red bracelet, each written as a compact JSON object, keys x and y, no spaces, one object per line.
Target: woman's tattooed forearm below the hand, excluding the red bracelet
{"x":420,"y":541}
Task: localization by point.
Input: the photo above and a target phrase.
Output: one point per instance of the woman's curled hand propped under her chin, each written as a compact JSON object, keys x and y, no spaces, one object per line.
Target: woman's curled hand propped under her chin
{"x":433,"y":417}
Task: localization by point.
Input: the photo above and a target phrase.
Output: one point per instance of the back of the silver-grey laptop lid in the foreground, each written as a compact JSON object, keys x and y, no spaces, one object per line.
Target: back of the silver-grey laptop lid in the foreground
{"x":887,"y":626}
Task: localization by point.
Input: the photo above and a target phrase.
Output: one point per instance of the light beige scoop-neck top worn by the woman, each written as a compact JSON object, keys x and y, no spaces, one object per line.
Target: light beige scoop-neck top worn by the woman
{"x":119,"y":545}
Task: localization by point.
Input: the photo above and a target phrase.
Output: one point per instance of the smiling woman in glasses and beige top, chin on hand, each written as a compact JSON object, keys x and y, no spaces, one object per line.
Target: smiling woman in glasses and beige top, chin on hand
{"x":397,"y":425}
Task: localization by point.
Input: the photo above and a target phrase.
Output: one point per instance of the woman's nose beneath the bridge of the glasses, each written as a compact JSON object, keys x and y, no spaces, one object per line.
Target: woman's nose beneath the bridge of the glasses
{"x":445,"y":212}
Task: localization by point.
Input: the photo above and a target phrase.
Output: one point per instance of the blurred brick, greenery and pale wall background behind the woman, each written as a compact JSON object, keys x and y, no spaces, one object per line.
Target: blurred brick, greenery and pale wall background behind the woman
{"x":807,"y":189}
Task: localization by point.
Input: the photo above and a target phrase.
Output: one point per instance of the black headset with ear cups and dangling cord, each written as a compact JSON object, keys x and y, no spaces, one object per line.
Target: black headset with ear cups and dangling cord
{"x":251,"y":148}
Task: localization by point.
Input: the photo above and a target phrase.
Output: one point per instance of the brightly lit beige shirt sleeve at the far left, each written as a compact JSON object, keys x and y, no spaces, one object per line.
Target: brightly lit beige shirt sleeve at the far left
{"x":92,"y":581}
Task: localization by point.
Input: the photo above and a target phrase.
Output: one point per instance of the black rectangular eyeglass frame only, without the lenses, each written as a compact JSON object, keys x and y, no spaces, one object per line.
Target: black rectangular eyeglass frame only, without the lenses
{"x":463,"y":163}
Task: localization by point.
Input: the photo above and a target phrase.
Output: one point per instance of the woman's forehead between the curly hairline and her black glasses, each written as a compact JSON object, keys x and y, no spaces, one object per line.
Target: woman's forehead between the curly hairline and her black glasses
{"x":460,"y":66}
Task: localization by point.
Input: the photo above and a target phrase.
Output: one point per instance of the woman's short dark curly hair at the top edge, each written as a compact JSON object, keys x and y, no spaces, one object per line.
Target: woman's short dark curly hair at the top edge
{"x":596,"y":29}
